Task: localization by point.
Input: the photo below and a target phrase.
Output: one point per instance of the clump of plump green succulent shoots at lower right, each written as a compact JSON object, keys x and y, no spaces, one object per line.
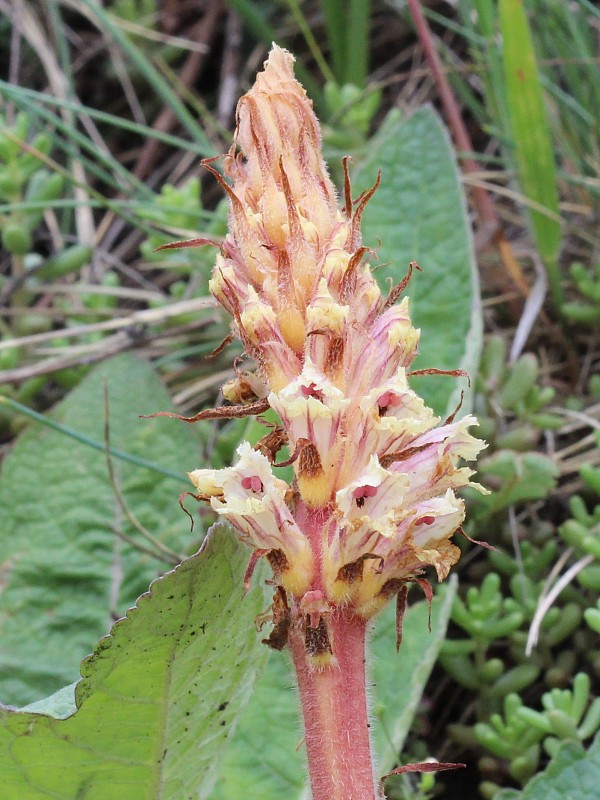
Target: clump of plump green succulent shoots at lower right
{"x":492,"y":661}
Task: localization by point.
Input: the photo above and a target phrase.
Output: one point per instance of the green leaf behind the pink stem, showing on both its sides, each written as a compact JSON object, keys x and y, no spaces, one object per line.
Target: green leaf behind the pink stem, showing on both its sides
{"x":266,"y":759}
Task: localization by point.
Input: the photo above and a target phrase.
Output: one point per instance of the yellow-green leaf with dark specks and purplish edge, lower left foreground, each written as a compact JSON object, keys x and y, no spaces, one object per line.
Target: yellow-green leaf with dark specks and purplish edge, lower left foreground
{"x":158,"y":697}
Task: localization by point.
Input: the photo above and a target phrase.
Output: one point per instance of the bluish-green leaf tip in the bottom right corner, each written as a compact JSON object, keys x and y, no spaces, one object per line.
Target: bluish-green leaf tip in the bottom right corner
{"x":573,"y":774}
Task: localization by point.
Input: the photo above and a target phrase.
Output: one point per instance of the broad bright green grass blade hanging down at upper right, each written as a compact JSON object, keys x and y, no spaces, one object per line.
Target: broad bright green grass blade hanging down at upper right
{"x":531,"y":136}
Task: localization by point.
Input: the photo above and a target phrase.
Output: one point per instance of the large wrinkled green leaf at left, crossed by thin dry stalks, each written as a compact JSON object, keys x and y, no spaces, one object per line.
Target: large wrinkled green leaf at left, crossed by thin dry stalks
{"x":65,"y":575}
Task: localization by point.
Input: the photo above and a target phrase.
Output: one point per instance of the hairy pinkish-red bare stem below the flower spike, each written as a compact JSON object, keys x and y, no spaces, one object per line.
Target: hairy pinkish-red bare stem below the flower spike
{"x":334,"y":707}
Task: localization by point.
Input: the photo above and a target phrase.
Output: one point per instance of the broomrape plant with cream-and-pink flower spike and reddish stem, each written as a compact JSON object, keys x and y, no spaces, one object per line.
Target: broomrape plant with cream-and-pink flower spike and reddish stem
{"x":373,"y":500}
